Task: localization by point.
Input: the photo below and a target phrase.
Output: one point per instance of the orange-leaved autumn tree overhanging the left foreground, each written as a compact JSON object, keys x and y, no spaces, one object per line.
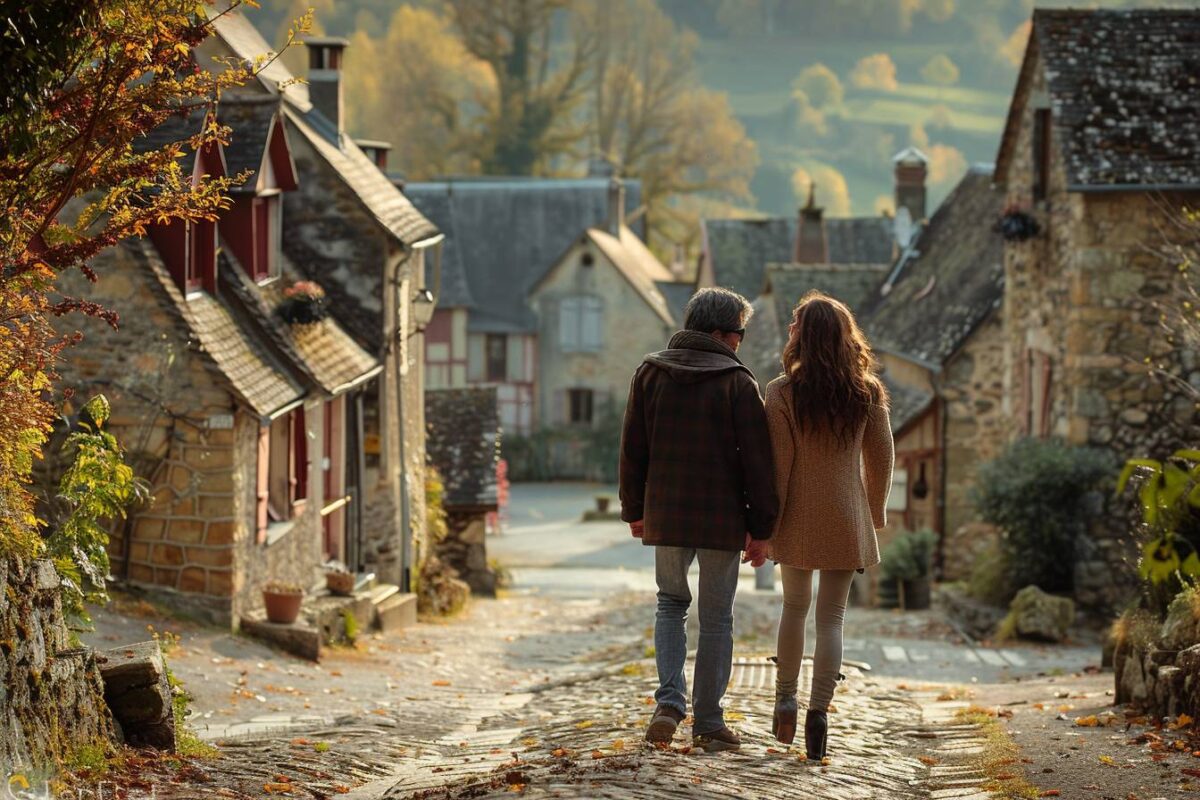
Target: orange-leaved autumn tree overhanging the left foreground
{"x":92,"y":80}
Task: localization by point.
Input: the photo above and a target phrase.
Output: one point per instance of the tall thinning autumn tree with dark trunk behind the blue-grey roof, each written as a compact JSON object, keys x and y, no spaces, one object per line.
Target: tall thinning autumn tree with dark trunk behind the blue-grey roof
{"x":531,"y":118}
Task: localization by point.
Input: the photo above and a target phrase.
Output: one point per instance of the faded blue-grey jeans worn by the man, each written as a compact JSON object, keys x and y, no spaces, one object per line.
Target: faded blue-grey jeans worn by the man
{"x":715,"y":655}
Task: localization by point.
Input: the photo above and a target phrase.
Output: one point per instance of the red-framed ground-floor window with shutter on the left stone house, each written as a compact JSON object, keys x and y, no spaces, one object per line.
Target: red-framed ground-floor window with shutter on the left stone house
{"x":284,"y":484}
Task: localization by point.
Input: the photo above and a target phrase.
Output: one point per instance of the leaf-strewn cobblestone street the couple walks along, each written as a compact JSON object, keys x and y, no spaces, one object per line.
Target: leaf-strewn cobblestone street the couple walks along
{"x":548,"y":689}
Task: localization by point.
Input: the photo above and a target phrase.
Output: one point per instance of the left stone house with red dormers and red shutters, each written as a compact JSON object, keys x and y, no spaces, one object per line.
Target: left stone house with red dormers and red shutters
{"x":242,"y":422}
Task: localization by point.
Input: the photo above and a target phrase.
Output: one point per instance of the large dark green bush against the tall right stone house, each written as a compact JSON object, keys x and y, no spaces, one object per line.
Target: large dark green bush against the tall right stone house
{"x":1035,"y":492}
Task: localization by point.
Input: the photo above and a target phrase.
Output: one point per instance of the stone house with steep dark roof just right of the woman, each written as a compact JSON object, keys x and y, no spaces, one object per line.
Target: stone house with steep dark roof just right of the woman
{"x":935,"y":324}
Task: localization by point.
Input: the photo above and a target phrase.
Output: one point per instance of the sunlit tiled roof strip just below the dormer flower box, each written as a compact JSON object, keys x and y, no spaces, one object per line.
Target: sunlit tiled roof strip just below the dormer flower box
{"x":323,"y":352}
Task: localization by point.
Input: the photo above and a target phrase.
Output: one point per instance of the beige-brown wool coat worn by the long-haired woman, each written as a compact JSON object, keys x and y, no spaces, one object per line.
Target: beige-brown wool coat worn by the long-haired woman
{"x":832,"y":497}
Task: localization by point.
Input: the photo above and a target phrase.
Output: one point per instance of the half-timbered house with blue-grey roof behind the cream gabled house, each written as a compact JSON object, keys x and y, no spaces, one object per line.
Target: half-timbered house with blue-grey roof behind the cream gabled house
{"x":502,"y":236}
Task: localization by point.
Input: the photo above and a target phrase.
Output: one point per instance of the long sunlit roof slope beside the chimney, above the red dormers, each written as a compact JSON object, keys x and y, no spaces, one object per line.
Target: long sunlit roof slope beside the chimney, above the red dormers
{"x":391,"y":208}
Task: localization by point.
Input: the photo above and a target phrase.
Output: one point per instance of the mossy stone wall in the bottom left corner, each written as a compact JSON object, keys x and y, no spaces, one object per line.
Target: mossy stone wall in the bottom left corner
{"x":53,"y":700}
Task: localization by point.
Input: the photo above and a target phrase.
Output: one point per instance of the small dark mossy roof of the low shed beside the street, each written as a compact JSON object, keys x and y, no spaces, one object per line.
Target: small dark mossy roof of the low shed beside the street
{"x":464,"y":444}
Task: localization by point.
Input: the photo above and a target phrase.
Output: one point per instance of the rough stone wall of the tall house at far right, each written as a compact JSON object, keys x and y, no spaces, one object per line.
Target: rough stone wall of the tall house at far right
{"x":1081,"y":298}
